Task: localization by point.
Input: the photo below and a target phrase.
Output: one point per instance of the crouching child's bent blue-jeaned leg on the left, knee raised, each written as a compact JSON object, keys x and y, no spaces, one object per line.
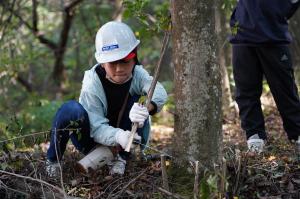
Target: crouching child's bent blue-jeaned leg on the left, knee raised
{"x":70,"y":121}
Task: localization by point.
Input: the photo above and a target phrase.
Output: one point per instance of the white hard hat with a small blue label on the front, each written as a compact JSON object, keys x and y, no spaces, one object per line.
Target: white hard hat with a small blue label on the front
{"x":114,"y":41}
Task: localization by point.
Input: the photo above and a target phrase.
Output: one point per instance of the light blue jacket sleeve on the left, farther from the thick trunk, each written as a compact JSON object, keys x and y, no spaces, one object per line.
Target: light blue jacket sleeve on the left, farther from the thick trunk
{"x":100,"y":130}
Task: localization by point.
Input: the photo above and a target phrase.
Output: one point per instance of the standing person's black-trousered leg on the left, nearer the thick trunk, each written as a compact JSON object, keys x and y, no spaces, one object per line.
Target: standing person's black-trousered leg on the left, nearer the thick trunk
{"x":248,"y":81}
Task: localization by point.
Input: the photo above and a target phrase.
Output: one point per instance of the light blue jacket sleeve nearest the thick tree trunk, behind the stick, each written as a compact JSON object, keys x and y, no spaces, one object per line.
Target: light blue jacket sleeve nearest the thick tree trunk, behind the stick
{"x":143,"y":82}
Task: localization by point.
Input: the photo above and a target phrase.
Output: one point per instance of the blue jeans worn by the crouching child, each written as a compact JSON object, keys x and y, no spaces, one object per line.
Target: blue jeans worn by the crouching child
{"x":72,"y":117}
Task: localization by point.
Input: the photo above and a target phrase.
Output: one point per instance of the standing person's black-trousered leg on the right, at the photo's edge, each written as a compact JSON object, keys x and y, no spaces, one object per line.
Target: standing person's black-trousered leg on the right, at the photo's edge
{"x":277,"y":65}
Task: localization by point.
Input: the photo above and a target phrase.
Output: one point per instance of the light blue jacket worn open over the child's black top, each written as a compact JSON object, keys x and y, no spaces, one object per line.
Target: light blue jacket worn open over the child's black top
{"x":93,"y":99}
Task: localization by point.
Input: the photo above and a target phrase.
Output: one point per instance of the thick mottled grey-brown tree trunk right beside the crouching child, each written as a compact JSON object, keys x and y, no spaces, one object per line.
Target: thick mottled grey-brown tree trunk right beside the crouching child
{"x":197,"y":84}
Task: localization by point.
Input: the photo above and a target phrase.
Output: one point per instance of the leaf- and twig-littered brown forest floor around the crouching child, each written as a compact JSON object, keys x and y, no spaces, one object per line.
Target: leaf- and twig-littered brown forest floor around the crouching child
{"x":273,"y":174}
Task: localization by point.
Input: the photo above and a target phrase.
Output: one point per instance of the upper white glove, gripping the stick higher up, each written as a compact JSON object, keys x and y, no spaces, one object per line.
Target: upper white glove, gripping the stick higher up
{"x":138,"y":113}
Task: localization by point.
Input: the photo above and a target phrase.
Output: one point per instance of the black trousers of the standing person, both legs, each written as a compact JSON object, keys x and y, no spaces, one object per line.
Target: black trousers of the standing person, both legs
{"x":250,"y":64}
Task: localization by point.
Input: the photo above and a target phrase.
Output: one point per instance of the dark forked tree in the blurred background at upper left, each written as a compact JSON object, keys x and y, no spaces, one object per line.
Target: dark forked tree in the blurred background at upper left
{"x":32,"y":23}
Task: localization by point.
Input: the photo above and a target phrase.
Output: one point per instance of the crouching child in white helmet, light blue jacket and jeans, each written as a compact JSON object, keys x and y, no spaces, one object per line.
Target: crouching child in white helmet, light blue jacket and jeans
{"x":108,"y":101}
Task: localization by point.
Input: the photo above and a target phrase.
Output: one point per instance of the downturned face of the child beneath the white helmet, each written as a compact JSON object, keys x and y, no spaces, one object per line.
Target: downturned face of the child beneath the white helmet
{"x":119,"y":71}
